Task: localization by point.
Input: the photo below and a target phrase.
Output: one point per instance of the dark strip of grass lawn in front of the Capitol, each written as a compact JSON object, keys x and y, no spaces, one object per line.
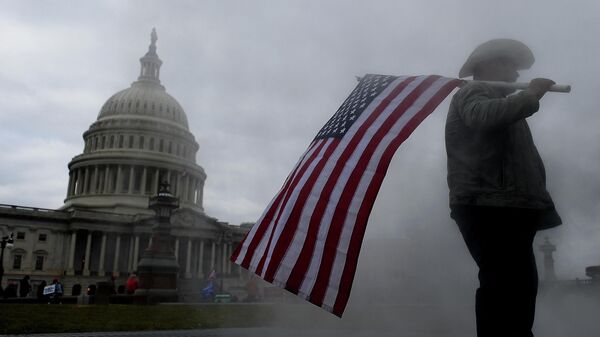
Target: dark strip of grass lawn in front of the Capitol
{"x":44,"y":318}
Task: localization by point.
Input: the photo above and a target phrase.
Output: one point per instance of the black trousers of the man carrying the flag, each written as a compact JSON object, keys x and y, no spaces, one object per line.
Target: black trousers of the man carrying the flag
{"x":500,"y":240}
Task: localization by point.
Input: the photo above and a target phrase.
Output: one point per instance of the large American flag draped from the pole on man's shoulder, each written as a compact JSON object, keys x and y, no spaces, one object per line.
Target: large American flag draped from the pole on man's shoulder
{"x":308,"y":239}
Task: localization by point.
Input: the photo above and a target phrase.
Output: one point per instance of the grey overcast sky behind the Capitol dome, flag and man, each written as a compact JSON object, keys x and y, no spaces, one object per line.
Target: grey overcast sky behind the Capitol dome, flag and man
{"x":258,"y":79}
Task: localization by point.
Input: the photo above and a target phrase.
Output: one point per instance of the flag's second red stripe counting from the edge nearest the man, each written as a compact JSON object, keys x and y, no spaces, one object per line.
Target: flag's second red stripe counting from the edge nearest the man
{"x":341,"y":211}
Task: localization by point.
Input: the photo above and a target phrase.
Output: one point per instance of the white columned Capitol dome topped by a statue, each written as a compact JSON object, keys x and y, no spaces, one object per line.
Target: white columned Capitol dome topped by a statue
{"x":140,"y":138}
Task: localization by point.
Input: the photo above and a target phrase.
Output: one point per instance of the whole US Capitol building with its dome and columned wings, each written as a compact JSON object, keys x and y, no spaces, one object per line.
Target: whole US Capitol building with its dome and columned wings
{"x":140,"y":138}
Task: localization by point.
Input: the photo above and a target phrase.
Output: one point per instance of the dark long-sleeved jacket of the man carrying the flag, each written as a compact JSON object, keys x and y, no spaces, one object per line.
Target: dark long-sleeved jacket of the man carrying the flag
{"x":492,"y":160}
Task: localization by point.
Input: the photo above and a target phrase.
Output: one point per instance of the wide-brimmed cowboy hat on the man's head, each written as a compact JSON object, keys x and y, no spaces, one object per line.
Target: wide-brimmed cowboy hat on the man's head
{"x":513,"y":49}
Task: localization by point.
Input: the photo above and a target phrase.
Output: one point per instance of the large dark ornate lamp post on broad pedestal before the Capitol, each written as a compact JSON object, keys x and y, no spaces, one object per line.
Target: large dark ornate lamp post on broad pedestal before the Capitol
{"x":158,"y":268}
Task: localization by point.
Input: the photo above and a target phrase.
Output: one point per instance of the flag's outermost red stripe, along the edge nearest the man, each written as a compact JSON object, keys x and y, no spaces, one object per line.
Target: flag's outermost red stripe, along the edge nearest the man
{"x":371,"y":193}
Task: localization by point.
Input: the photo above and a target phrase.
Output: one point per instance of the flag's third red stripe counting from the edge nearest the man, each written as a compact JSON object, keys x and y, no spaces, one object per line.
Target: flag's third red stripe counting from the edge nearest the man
{"x":298,"y":272}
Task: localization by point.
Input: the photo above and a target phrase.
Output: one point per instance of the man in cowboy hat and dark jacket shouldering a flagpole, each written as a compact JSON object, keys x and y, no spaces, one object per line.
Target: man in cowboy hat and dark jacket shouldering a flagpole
{"x":497,"y":184}
